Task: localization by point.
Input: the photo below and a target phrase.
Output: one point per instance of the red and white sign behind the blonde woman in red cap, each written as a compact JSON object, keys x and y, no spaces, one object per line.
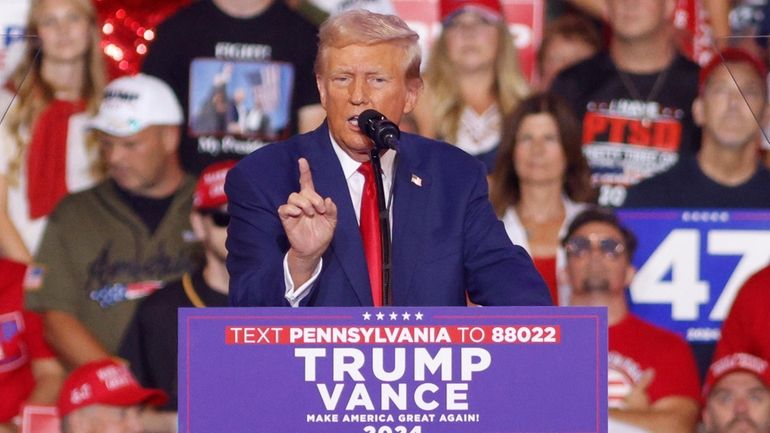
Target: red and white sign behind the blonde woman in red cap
{"x":525,"y":19}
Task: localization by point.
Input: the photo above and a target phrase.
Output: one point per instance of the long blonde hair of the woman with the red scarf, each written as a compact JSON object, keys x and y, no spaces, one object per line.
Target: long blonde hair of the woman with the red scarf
{"x":33,"y":94}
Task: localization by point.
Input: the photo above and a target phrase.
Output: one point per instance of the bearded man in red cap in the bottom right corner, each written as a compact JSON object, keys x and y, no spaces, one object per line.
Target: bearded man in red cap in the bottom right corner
{"x":737,"y":395}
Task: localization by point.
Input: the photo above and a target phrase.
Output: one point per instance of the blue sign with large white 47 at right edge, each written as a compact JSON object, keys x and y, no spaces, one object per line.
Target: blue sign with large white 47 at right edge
{"x":691,"y":264}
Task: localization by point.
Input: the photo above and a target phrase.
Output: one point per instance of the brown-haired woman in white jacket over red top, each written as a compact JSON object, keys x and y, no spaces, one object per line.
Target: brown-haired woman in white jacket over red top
{"x":541,"y":181}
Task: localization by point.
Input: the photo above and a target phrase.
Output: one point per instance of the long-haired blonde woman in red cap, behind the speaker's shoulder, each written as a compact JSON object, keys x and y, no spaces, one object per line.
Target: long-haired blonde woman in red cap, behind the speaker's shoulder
{"x":472,"y":78}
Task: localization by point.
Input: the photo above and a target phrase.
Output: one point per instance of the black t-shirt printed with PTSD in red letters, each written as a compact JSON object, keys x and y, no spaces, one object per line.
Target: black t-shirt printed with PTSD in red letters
{"x":634,"y":125}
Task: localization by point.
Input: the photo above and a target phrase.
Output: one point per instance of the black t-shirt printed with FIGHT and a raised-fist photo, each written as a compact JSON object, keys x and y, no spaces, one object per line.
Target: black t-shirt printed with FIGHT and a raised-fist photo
{"x":240,"y":81}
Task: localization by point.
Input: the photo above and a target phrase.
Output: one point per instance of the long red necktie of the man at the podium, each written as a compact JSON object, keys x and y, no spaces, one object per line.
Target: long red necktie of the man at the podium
{"x":370,"y":232}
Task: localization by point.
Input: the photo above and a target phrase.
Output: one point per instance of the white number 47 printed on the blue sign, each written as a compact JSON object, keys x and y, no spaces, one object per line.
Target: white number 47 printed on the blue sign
{"x":685,"y":291}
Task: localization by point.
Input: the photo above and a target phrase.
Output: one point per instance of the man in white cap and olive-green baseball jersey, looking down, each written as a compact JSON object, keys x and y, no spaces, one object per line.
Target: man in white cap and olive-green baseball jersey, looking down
{"x":109,"y":246}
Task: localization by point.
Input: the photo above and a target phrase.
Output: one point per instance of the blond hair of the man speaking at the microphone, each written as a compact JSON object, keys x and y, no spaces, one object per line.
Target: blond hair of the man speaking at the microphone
{"x":361,"y":27}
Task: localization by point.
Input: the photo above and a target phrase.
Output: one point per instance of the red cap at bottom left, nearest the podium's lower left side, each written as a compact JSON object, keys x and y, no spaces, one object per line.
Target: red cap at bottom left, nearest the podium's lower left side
{"x":107,"y":382}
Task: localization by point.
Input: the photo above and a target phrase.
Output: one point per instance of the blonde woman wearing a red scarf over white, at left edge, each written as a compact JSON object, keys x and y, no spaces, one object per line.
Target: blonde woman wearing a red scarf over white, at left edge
{"x":43,"y":151}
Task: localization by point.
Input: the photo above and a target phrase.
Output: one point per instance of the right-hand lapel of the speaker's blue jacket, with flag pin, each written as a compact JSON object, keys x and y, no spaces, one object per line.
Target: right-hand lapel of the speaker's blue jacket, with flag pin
{"x":411,"y":196}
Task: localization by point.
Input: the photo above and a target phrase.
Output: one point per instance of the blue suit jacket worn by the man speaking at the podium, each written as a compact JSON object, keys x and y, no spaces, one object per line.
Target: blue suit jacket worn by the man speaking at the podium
{"x":446,"y":237}
